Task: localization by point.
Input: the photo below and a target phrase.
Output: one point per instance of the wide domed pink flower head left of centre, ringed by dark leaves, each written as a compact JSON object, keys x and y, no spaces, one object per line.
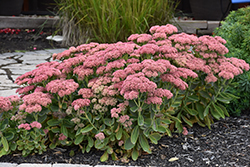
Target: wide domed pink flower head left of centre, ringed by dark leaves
{"x":62,"y":87}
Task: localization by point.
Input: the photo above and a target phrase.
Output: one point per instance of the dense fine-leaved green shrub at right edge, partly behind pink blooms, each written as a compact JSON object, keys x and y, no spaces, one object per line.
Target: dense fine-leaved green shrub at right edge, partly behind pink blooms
{"x":236,"y":31}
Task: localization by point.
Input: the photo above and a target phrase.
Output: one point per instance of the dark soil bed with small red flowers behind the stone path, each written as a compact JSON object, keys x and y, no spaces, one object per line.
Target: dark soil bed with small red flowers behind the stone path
{"x":16,"y":40}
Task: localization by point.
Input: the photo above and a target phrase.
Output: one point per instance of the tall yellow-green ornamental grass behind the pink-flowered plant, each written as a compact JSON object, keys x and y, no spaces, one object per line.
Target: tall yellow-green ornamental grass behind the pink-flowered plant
{"x":108,"y":21}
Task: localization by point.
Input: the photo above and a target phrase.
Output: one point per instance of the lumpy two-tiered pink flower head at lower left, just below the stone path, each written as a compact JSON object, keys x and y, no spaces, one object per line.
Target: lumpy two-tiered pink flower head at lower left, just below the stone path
{"x":34,"y":102}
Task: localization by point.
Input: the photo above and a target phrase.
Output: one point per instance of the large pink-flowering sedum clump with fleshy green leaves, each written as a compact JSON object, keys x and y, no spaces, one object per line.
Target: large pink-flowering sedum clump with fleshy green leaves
{"x":119,"y":97}
